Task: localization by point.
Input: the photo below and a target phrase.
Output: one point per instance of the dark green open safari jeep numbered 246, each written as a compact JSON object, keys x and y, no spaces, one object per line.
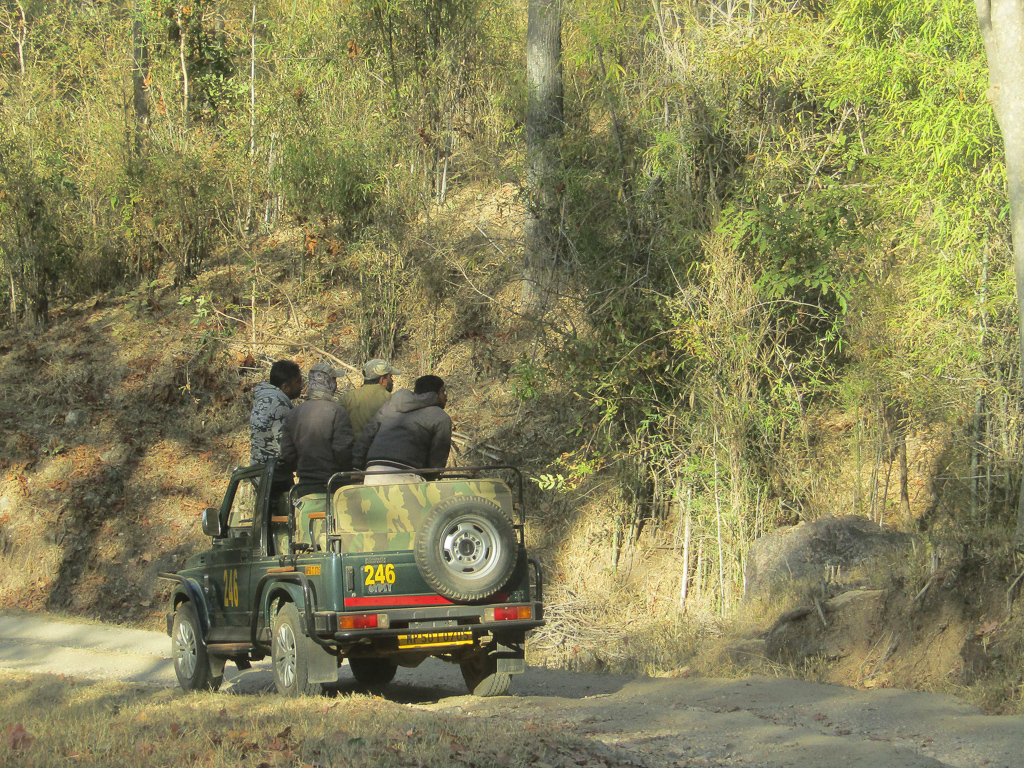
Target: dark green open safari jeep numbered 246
{"x":383,"y":576}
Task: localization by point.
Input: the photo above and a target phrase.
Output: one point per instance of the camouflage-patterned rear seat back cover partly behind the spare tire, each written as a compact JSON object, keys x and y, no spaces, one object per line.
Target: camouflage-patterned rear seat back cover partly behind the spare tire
{"x":385,"y":519}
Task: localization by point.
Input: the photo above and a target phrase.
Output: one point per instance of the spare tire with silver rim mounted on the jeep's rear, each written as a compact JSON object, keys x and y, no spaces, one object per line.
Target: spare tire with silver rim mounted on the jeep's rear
{"x":466,"y":548}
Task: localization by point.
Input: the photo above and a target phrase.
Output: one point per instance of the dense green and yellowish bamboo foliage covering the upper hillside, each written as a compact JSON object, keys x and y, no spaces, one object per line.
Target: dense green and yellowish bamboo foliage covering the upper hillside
{"x":772,"y":214}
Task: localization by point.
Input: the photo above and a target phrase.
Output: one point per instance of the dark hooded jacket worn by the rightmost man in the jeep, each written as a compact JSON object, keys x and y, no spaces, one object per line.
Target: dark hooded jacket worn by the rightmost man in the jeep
{"x":411,"y":432}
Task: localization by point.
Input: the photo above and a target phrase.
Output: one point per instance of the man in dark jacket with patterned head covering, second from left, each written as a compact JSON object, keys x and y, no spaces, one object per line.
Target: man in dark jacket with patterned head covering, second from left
{"x":317,"y":441}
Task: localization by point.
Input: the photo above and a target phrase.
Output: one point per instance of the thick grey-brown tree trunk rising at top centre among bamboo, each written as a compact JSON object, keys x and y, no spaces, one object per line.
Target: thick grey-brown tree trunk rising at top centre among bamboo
{"x":544,"y":127}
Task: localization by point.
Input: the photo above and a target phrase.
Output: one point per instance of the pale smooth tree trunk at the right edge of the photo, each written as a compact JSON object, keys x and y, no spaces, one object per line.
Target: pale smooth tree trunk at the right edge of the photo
{"x":1003,"y":31}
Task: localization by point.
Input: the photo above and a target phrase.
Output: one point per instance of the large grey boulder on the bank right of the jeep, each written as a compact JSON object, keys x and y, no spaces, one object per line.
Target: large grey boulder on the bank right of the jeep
{"x":818,"y":551}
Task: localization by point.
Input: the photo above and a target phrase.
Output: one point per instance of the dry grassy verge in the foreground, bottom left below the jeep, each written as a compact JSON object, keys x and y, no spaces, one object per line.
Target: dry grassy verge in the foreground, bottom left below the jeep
{"x":49,"y":721}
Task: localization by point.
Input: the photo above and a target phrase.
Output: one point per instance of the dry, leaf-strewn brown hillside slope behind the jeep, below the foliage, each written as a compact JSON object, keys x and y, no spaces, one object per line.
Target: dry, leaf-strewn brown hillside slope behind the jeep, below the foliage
{"x":123,"y":420}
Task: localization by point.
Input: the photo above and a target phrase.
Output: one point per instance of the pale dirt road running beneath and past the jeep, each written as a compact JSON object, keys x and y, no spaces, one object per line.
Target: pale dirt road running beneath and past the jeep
{"x":753,"y":722}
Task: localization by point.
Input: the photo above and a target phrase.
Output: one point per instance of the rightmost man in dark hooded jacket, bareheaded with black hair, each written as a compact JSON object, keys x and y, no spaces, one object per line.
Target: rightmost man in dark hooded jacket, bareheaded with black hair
{"x":409,"y":434}
